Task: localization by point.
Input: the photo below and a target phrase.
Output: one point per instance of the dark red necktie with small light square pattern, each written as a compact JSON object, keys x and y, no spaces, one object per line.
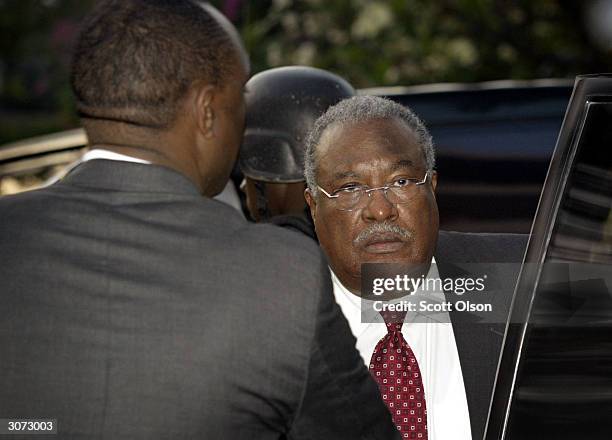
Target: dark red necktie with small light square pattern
{"x":397,"y":373}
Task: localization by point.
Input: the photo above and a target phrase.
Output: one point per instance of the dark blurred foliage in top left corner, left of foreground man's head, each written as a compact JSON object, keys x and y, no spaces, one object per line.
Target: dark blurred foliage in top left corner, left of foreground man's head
{"x":36,"y":38}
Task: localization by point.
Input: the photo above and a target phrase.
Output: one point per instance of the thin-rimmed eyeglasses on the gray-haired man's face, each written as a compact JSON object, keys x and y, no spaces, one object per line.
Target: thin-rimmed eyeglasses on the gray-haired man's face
{"x":402,"y":190}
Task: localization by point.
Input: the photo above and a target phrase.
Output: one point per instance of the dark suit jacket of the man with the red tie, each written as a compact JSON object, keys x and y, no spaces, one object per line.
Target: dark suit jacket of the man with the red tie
{"x":479,"y":343}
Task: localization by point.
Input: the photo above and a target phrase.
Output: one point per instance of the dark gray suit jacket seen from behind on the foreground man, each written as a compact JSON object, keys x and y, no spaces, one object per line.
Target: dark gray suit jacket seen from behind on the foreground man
{"x":134,"y":308}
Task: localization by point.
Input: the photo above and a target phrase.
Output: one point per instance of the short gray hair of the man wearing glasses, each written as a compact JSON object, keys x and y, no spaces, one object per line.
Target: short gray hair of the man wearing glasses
{"x":358,"y":109}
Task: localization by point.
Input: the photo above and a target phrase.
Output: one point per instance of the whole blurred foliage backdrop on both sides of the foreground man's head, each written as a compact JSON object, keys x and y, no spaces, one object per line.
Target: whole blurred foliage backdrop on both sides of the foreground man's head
{"x":369,"y":42}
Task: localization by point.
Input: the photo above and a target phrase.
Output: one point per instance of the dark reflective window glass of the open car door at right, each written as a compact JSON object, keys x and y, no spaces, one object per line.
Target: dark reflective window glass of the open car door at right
{"x":564,"y":385}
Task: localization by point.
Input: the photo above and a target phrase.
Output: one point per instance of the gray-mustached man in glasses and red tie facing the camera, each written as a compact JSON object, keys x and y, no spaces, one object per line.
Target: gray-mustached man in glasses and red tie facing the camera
{"x":371,"y":190}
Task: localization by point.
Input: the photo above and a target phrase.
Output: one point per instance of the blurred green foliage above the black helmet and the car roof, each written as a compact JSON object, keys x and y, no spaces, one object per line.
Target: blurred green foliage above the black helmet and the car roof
{"x":374,"y":43}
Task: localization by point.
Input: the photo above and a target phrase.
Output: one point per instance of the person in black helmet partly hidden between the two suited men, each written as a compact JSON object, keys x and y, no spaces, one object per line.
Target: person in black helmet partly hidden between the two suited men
{"x":281,"y":107}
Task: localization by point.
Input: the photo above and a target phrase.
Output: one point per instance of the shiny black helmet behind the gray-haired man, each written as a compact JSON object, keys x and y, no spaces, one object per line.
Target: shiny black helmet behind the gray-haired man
{"x":282,"y":105}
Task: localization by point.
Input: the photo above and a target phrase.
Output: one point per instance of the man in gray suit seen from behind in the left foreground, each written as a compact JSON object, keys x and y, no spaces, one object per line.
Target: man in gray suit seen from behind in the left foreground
{"x":134,"y":307}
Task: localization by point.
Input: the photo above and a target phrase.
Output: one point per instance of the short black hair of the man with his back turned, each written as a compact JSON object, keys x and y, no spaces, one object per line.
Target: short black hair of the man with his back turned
{"x":135,"y":60}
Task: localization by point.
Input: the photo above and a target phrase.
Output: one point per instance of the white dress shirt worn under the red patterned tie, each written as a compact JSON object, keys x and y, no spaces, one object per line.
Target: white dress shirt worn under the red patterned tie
{"x":433,"y":344}
